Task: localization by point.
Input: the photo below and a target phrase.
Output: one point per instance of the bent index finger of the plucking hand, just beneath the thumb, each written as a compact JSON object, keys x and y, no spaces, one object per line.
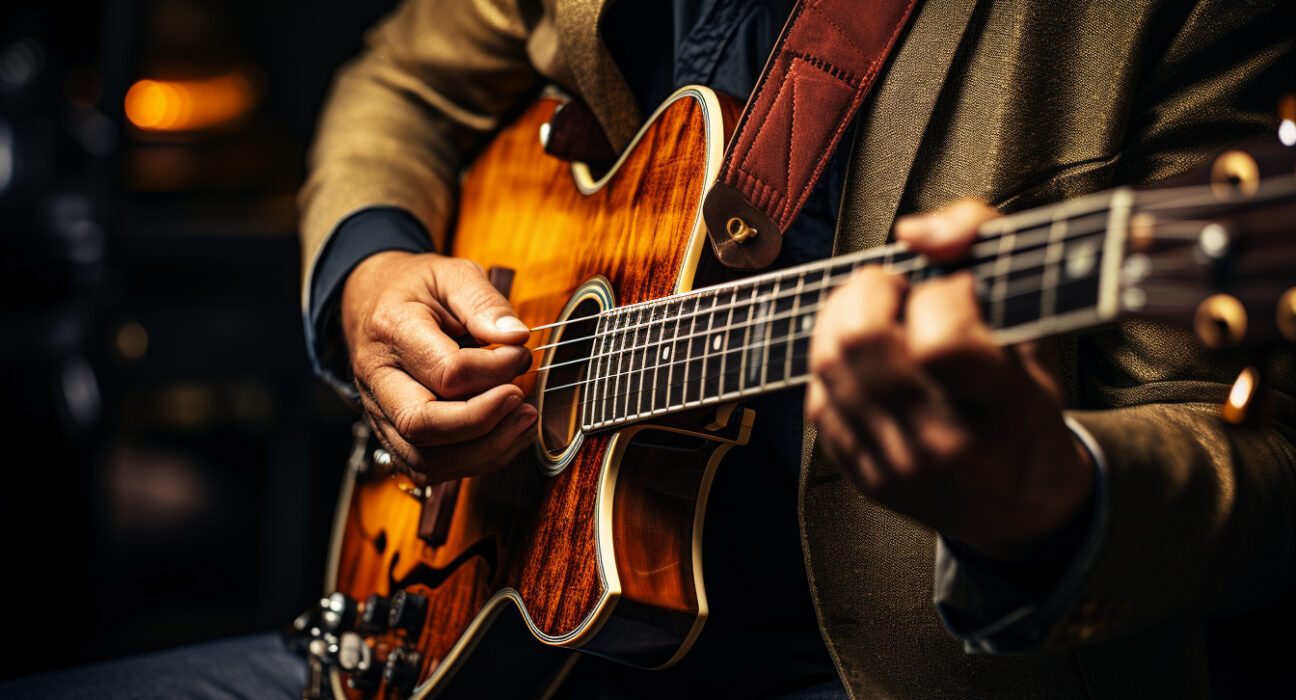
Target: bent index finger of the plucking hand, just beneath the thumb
{"x":439,"y":364}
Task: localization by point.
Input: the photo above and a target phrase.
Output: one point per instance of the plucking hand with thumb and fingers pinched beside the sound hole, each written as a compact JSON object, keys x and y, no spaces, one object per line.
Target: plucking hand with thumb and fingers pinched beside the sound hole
{"x":441,"y":412}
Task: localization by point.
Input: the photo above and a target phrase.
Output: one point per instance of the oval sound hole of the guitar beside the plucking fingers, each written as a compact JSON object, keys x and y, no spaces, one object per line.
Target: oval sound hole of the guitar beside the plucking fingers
{"x":562,"y":402}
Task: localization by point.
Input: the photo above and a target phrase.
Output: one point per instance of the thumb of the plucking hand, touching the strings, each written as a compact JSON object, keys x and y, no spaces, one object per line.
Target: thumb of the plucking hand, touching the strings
{"x":478,"y":305}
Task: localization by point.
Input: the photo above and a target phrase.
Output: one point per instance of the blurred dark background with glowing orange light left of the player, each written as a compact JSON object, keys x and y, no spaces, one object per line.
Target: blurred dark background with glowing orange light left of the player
{"x":169,"y":463}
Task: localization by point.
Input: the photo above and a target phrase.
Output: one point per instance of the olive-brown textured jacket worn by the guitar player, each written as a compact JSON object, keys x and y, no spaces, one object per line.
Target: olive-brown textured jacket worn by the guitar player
{"x":1018,"y":103}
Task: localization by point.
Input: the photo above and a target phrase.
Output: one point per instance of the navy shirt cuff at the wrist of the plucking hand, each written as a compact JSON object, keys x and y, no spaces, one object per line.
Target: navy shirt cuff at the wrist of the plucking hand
{"x":369,"y":231}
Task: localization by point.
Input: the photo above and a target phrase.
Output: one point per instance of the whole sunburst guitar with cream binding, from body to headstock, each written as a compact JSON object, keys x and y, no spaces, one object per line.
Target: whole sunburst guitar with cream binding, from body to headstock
{"x":593,"y":541}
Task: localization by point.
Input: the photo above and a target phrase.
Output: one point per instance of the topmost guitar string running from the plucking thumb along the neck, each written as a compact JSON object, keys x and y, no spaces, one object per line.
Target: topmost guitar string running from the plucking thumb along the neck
{"x":1034,"y":237}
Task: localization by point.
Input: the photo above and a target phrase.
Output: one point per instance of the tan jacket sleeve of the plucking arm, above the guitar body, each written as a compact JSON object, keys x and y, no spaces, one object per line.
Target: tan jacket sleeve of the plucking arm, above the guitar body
{"x":436,"y":80}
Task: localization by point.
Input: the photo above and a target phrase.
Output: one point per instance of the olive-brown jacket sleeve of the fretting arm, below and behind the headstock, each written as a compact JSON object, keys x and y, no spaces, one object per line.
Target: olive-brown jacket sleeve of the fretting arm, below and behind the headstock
{"x":1201,"y":517}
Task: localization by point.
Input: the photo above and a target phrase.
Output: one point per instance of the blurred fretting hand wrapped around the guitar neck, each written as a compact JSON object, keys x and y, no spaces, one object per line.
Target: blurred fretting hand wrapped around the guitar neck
{"x":927,"y":415}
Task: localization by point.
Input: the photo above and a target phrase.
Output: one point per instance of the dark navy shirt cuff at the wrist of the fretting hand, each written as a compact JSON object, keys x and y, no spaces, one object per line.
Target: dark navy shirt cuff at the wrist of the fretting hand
{"x":996,"y":607}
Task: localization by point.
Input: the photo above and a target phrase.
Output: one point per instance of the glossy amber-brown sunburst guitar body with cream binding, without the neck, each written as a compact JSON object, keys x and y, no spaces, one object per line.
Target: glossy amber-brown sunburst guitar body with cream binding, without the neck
{"x":601,"y":550}
